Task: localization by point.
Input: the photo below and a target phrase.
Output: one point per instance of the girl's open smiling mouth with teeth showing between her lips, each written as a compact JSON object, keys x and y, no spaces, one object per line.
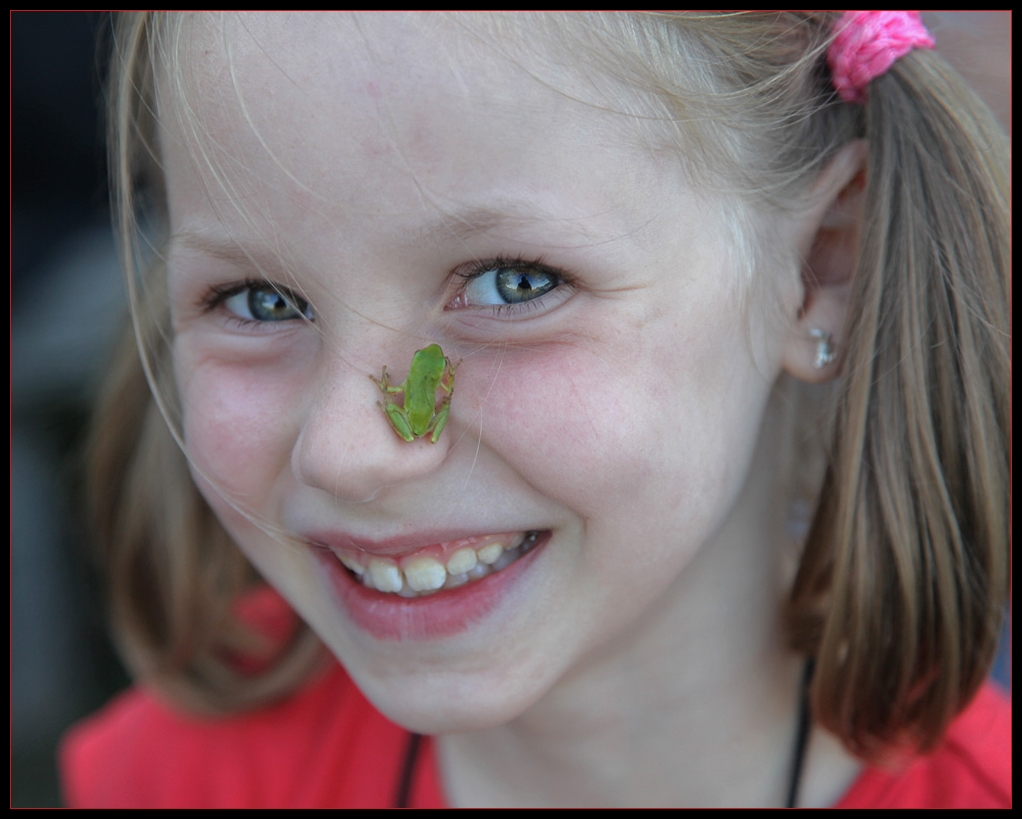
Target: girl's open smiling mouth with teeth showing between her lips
{"x":456,"y":564}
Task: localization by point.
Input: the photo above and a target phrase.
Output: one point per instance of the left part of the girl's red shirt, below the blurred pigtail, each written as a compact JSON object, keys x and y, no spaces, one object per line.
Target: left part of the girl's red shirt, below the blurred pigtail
{"x":323,"y":748}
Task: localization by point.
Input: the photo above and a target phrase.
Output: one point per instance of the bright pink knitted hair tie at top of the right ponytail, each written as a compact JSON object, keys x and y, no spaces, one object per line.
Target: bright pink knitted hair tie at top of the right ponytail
{"x":867,"y":44}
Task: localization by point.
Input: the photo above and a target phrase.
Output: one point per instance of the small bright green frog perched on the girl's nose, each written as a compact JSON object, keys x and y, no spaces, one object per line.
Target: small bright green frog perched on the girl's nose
{"x":421,"y":416}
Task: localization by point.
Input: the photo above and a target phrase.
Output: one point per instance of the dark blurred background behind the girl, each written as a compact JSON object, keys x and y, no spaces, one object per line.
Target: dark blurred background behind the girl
{"x":67,"y":306}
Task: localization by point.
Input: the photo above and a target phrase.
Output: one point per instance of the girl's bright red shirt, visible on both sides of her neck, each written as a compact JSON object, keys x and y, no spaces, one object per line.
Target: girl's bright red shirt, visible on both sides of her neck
{"x":329,"y":748}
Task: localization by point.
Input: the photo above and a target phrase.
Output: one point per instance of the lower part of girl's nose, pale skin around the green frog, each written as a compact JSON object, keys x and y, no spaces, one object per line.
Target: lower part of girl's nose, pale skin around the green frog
{"x":348,"y":446}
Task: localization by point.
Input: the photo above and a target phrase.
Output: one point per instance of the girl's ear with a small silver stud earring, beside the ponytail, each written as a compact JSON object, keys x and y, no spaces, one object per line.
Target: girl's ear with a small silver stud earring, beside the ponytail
{"x":829,"y":250}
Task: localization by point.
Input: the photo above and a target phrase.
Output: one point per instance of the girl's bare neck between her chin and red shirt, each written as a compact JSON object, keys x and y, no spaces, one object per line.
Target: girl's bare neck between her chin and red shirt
{"x":632,"y":741}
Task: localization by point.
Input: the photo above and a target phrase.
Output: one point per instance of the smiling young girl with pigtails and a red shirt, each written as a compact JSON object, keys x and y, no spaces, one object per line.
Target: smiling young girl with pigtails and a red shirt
{"x":622,"y":401}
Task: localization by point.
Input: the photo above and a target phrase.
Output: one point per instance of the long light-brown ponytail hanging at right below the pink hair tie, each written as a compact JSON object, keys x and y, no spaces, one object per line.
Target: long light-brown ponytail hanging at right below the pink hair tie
{"x":906,"y":574}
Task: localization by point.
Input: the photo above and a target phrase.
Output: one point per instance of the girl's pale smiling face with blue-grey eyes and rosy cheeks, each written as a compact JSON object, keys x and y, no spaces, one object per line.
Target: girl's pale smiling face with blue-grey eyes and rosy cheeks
{"x":408,"y":181}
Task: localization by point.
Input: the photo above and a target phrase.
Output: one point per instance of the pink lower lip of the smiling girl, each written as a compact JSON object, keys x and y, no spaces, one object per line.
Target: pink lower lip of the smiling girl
{"x":446,"y":614}
